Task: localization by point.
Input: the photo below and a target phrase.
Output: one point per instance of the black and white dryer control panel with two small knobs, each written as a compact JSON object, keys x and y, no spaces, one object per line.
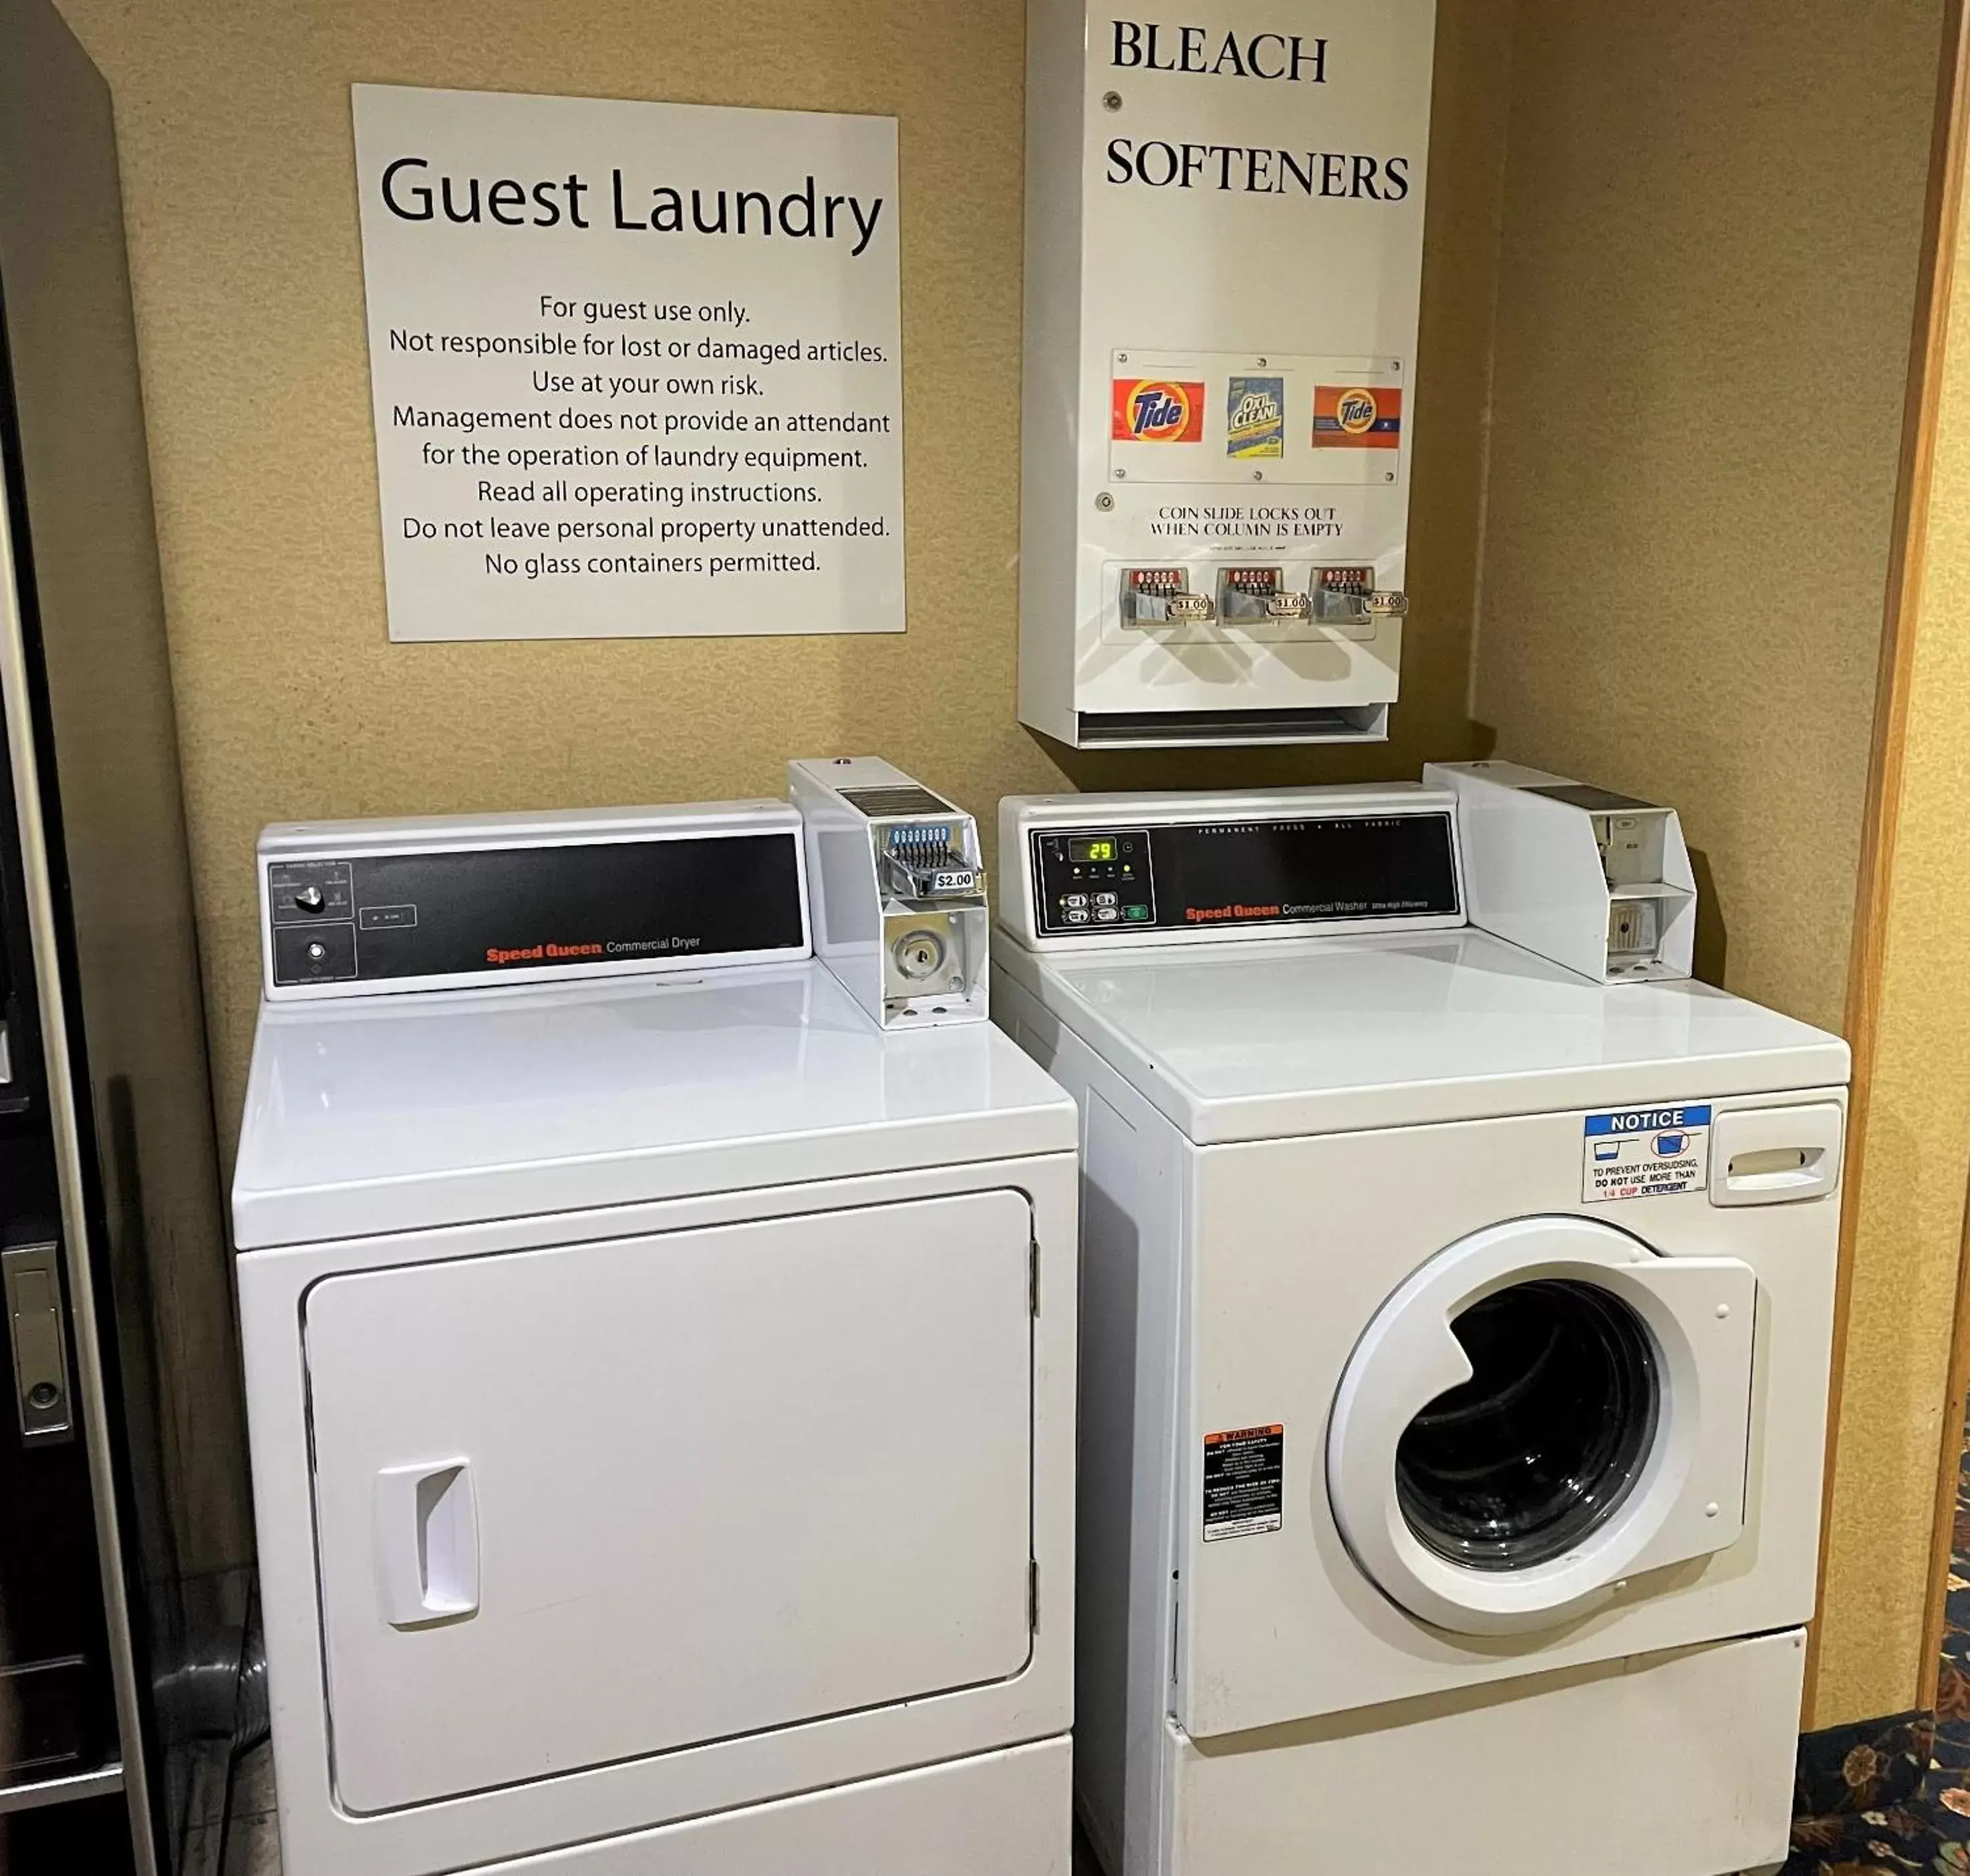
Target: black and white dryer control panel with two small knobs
{"x":456,"y":901}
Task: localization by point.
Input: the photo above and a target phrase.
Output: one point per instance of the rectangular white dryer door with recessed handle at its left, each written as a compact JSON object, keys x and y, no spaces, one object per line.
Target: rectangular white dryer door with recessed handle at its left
{"x":606,"y":1501}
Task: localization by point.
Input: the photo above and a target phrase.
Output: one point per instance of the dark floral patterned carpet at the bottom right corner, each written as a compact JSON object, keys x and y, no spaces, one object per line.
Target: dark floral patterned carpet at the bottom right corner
{"x":1896,"y":1796}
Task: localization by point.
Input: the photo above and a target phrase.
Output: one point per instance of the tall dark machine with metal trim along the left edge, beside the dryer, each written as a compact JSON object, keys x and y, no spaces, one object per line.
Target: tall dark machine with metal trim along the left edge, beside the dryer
{"x":125,"y":1540}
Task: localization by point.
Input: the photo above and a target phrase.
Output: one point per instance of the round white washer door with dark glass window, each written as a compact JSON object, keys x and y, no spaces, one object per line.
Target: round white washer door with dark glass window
{"x":1538,"y":1414}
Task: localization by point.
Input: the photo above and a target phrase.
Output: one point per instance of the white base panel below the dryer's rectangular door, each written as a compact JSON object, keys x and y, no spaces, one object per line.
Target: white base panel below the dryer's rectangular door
{"x":1004,"y":1814}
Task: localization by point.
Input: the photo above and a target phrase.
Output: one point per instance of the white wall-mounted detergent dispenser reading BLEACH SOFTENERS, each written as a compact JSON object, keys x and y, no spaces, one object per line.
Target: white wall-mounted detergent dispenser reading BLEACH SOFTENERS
{"x":1224,"y":249}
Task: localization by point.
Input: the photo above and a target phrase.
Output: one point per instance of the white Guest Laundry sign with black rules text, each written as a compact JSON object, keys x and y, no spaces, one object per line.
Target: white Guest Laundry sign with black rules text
{"x":635,"y":369}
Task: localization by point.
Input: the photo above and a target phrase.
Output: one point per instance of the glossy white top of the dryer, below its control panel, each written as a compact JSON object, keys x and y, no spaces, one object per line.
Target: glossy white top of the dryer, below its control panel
{"x":401,"y":1113}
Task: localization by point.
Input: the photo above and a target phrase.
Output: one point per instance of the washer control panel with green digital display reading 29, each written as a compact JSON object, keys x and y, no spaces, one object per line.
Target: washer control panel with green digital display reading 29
{"x":1140,"y":869}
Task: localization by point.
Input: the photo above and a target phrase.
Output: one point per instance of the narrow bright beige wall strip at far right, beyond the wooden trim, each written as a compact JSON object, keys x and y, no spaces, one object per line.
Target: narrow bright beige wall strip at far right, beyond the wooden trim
{"x":1918,"y":1157}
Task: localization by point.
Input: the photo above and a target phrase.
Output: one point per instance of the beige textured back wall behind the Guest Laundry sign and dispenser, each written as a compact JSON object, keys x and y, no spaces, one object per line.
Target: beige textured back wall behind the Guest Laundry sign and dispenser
{"x":233,"y":123}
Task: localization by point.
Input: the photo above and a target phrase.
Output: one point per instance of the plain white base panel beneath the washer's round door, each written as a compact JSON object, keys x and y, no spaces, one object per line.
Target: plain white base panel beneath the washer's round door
{"x":1674,"y":1765}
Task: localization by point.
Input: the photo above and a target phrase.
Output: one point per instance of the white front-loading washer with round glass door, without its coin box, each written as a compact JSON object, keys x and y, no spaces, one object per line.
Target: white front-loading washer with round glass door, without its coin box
{"x":1455,"y":1357}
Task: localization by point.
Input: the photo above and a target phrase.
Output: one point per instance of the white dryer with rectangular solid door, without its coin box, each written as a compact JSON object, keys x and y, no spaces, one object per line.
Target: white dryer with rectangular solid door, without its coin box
{"x":661,"y":1377}
